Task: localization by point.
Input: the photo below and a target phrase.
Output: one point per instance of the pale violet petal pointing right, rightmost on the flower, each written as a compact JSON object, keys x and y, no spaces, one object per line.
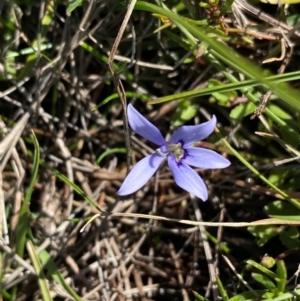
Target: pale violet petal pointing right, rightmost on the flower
{"x":204,"y":158}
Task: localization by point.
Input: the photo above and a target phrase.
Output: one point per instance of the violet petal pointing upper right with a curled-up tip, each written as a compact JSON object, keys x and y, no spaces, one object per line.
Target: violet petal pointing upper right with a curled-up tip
{"x":190,"y":134}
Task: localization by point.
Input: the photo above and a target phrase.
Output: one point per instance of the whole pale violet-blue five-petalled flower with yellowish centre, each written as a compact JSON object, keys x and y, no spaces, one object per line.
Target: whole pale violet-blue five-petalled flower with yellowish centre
{"x":180,"y":153}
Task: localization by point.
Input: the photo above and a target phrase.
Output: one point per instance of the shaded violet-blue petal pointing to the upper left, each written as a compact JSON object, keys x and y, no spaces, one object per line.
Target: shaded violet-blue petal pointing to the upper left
{"x":143,"y":127}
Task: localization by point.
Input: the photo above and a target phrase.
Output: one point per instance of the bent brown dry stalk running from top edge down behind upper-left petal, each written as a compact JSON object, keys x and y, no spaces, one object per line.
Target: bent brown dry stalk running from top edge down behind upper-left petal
{"x":116,"y":80}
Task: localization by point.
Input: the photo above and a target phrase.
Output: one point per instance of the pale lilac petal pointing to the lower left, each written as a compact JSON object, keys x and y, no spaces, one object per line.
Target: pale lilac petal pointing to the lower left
{"x":140,"y":174}
